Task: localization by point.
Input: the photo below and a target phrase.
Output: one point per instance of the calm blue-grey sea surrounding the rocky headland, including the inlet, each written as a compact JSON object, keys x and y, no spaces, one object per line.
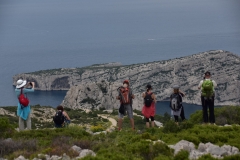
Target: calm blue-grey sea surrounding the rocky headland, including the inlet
{"x":39,"y":35}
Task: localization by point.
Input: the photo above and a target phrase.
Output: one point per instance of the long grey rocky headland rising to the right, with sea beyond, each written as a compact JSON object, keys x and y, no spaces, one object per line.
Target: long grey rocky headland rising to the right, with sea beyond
{"x":185,"y":71}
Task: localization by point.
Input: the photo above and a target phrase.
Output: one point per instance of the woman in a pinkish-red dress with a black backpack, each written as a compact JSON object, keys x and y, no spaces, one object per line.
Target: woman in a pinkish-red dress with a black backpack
{"x":148,"y":109}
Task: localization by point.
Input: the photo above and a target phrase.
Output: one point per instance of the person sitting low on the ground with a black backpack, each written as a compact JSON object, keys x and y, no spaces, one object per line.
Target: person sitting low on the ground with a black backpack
{"x":61,"y":118}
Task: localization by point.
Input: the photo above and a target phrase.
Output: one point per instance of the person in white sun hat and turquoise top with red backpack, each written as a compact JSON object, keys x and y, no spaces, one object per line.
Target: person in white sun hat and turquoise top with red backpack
{"x":23,"y":108}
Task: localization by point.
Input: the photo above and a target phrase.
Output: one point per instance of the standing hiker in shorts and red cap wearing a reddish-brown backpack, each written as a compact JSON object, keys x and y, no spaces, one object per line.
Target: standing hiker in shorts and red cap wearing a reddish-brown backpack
{"x":125,"y":96}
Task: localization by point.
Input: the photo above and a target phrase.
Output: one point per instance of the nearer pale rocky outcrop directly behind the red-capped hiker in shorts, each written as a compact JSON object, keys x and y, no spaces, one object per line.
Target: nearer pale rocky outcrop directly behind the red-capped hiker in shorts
{"x":96,"y":95}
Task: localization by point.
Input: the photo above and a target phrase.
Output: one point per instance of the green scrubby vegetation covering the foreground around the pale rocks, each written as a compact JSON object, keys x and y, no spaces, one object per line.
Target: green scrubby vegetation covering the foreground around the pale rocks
{"x":127,"y":144}
